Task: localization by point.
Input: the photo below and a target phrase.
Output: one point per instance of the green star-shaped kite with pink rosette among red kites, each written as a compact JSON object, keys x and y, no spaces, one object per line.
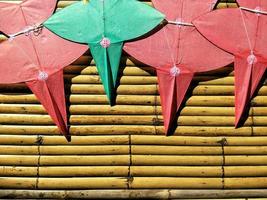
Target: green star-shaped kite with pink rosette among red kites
{"x":104,"y":25}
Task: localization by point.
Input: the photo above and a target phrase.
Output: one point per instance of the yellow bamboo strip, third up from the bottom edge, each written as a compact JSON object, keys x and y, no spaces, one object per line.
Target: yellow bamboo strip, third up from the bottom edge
{"x":136,"y":171}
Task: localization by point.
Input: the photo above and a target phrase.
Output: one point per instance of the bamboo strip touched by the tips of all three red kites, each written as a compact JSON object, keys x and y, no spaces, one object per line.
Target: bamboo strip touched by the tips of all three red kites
{"x":134,"y":130}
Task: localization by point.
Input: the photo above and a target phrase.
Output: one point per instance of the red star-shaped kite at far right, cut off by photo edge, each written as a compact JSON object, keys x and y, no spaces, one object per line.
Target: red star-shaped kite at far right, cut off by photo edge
{"x":244,"y":35}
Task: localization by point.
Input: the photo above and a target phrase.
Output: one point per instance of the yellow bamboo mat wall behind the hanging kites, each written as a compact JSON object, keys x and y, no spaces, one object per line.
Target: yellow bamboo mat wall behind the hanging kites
{"x":121,"y":151}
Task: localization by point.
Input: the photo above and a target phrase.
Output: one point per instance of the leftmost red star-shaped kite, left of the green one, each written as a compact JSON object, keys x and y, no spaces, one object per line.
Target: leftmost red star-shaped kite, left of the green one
{"x":34,"y":55}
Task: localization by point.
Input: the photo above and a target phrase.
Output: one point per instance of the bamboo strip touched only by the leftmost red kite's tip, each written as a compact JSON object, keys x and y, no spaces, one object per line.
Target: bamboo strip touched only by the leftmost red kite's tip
{"x":135,"y":140}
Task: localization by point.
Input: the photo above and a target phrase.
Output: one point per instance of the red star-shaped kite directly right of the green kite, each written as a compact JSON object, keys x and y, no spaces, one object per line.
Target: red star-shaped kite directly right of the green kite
{"x":178,"y":51}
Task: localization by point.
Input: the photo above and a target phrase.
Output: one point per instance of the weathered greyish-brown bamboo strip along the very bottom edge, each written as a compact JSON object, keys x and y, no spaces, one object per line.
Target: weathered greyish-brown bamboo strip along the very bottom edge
{"x":134,"y":194}
